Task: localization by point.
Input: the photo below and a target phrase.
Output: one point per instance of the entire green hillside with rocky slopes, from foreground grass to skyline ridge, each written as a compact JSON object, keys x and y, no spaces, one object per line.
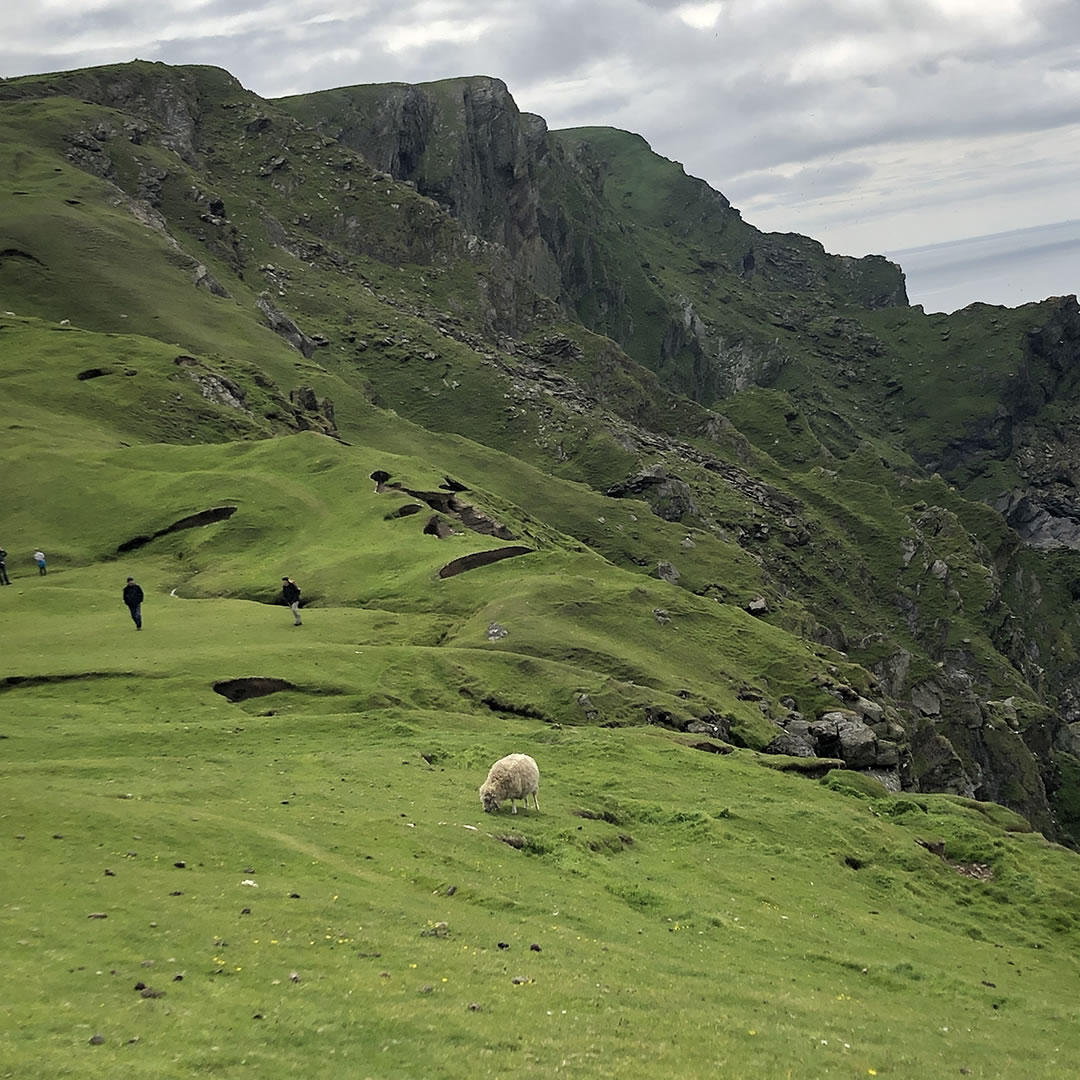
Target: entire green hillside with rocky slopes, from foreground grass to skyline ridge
{"x":233,"y":348}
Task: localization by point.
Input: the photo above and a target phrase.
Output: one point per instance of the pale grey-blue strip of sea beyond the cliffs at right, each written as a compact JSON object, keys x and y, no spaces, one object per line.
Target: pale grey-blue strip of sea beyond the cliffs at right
{"x":1004,"y":268}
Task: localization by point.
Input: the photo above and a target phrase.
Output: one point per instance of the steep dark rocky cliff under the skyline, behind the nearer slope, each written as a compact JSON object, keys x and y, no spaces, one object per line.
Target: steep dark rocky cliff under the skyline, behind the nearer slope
{"x":557,"y":204}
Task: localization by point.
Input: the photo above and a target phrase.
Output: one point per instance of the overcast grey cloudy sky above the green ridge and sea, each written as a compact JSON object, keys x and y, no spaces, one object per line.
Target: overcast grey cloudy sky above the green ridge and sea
{"x":872,"y":126}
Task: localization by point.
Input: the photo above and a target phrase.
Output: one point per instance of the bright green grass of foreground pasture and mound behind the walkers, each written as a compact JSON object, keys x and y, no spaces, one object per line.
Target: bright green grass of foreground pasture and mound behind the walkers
{"x":844,"y":946}
